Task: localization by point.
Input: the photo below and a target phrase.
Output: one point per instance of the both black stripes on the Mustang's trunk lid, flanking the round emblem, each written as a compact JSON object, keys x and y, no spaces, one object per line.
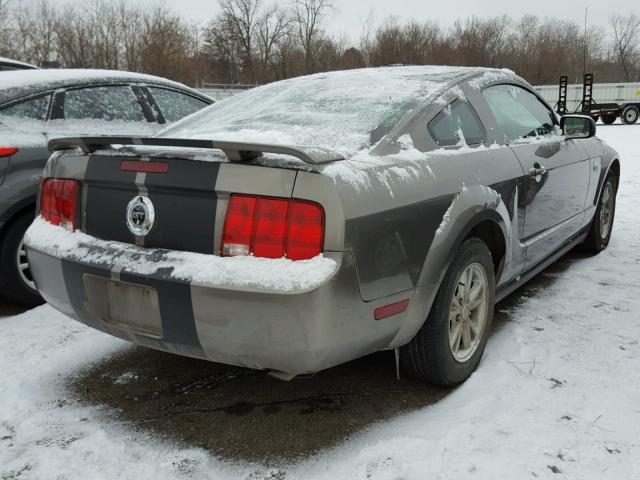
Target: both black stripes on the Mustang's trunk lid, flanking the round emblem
{"x":184,"y":199}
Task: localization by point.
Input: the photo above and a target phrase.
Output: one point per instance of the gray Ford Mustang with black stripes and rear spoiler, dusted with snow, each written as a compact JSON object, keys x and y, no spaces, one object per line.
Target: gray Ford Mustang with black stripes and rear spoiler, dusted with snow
{"x":315,"y":220}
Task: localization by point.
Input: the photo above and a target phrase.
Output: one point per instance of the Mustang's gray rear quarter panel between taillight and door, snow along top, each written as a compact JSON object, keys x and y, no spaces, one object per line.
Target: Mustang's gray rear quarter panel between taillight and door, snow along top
{"x":394,"y":210}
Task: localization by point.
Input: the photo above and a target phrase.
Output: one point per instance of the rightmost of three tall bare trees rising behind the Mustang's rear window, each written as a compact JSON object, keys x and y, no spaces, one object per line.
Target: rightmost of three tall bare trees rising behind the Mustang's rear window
{"x":309,"y":17}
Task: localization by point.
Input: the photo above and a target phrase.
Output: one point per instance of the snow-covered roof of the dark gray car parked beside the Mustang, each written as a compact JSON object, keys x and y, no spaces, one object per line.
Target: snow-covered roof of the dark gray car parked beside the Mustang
{"x":22,"y":83}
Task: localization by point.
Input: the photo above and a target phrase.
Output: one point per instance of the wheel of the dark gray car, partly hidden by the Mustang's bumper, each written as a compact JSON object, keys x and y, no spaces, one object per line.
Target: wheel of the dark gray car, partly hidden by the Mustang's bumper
{"x":16,"y":283}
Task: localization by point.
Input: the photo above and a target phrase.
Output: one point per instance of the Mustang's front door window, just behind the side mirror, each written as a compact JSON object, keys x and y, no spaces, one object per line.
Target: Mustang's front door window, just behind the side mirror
{"x":519,"y":113}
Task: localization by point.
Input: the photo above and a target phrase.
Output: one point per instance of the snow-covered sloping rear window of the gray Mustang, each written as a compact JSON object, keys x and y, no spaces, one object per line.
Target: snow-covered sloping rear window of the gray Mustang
{"x":344,"y":111}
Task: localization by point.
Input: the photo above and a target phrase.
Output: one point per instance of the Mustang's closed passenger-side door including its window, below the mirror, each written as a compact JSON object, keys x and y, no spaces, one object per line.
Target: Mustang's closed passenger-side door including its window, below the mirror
{"x":556,"y":169}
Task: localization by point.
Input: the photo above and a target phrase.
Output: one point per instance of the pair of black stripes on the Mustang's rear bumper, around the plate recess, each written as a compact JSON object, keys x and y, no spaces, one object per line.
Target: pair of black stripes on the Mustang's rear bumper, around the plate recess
{"x":176,"y":311}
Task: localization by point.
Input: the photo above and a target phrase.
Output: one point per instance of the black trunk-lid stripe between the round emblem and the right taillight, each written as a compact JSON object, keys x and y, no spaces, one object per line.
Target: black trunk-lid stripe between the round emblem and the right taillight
{"x":185,"y":204}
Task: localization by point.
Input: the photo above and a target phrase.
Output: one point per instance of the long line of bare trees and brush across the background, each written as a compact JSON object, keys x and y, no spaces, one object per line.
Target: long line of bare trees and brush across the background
{"x":259,"y":41}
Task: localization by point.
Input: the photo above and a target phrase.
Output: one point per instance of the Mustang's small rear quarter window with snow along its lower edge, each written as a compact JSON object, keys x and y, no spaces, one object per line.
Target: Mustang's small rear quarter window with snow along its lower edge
{"x":458,"y":117}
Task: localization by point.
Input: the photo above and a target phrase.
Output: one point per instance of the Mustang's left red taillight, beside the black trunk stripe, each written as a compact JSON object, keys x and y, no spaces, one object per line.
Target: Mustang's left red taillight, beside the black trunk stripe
{"x":59,"y":202}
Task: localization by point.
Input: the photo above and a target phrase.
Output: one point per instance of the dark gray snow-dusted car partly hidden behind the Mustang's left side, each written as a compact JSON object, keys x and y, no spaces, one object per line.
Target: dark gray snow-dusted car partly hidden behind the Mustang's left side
{"x":37,"y":105}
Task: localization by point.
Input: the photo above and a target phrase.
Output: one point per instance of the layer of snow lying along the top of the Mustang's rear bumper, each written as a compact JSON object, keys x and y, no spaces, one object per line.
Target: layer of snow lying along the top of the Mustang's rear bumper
{"x":259,"y":274}
